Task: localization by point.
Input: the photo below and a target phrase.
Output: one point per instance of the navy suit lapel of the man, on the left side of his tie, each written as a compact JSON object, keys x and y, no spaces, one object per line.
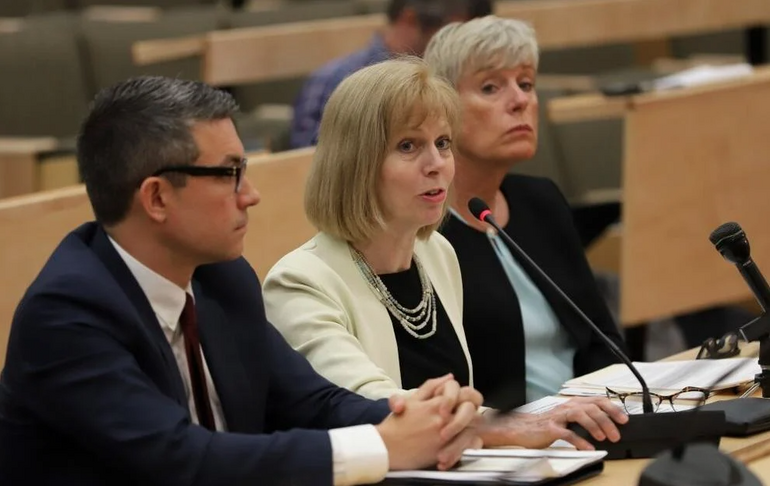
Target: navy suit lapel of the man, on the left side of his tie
{"x":104,"y":249}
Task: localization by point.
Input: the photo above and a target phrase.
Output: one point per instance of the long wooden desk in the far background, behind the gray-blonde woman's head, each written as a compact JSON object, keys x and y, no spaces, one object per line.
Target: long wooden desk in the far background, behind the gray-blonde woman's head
{"x":249,"y":55}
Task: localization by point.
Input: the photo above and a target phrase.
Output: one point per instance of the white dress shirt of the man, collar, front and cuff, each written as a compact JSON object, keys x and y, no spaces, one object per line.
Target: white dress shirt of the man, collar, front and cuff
{"x":358,"y":453}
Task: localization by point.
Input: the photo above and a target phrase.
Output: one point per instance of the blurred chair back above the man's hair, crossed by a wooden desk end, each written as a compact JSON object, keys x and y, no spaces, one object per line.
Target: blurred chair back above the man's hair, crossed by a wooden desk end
{"x":107,"y":43}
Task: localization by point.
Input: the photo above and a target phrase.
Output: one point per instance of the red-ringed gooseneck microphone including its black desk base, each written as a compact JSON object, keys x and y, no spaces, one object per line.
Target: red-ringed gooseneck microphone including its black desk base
{"x":644,"y":435}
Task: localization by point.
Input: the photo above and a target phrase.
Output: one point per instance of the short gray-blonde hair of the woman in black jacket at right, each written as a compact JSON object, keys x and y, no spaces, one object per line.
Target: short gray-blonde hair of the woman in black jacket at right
{"x":490,"y":42}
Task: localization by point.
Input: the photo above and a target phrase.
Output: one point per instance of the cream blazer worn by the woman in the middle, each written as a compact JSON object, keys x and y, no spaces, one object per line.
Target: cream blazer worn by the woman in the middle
{"x":323,"y":306}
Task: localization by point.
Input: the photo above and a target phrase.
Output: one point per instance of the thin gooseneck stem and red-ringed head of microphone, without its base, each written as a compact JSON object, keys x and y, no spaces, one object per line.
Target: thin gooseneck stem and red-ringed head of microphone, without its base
{"x":481,"y":211}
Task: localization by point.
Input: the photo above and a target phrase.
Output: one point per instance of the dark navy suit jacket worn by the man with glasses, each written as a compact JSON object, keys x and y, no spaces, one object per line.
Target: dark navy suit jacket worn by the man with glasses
{"x":91,"y":393}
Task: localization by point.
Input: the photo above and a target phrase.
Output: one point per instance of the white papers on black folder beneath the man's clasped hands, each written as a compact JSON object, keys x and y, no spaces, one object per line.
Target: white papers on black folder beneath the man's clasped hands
{"x":520,"y":465}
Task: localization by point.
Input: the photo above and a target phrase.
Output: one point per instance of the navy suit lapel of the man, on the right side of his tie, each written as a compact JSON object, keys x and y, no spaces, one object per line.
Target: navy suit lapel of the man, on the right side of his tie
{"x":223,"y":357}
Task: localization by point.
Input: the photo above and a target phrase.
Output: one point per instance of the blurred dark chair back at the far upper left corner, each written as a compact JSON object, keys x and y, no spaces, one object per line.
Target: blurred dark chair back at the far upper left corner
{"x":42,"y":87}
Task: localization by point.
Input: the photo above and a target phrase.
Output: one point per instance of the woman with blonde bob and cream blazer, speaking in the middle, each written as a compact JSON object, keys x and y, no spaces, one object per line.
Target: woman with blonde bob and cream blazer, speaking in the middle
{"x":374,"y":300}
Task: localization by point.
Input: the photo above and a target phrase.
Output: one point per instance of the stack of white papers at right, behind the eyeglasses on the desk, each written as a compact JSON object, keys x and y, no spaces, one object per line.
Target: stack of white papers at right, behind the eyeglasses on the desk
{"x":671,"y":376}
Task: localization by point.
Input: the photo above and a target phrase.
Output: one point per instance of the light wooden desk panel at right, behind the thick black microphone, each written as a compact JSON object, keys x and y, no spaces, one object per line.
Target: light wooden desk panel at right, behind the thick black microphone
{"x":693,"y":159}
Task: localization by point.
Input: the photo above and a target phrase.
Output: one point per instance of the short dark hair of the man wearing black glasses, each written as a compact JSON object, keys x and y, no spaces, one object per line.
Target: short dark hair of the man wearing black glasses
{"x":137,"y":127}
